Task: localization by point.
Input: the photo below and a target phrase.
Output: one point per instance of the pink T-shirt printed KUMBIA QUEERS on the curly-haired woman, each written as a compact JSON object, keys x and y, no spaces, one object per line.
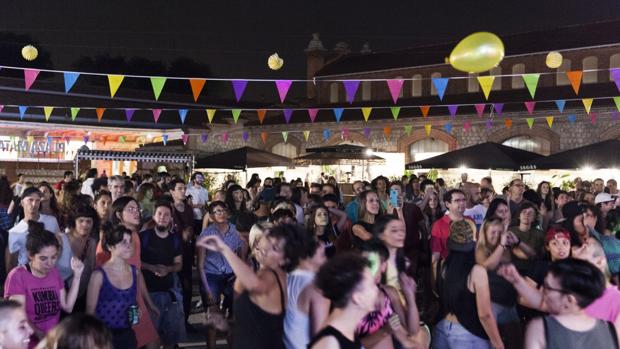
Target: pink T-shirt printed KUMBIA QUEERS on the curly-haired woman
{"x":42,"y":296}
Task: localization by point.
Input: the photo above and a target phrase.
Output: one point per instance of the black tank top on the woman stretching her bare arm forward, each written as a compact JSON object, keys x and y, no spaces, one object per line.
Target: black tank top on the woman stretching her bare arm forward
{"x":256,"y":328}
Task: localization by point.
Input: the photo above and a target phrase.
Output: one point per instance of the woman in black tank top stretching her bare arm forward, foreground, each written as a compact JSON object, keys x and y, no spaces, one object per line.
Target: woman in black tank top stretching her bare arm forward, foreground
{"x":259,"y":309}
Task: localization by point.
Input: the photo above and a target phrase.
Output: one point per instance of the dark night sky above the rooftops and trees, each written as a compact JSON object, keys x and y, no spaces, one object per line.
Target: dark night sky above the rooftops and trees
{"x":235,"y":37}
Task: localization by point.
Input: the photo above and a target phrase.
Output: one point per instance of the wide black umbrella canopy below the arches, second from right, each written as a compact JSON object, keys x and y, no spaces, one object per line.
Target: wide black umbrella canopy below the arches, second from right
{"x":486,"y":155}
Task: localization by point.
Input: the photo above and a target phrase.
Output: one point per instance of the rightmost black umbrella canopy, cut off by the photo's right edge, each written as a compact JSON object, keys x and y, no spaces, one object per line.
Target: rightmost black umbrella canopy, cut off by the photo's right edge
{"x":604,"y":154}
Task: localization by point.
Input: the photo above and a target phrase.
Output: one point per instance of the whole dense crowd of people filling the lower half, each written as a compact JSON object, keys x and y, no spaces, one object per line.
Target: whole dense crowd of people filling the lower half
{"x":109,"y":262}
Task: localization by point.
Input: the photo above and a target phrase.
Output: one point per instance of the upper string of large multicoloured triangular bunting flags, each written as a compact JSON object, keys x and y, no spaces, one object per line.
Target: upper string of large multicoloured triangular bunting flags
{"x":283,"y":86}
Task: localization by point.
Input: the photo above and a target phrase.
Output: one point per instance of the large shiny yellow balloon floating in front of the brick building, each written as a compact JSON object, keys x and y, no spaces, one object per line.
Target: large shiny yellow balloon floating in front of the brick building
{"x":477,"y":52}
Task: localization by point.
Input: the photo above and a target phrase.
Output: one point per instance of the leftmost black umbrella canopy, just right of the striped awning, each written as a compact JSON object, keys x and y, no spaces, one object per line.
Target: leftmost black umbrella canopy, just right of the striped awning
{"x":242,"y":158}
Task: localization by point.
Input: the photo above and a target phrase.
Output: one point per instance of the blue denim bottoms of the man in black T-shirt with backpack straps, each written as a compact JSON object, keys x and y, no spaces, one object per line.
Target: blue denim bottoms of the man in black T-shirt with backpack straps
{"x":170,"y":324}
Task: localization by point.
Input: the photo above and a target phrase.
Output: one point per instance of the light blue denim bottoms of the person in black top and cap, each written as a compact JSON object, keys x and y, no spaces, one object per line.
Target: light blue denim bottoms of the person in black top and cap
{"x":451,"y":335}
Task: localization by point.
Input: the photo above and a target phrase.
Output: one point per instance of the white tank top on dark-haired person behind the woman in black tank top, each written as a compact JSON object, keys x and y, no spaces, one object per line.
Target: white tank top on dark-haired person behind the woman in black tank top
{"x":296,"y":323}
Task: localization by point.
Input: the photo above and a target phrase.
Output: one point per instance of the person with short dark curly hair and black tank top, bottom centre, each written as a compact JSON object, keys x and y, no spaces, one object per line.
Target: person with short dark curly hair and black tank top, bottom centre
{"x":348,"y":283}
